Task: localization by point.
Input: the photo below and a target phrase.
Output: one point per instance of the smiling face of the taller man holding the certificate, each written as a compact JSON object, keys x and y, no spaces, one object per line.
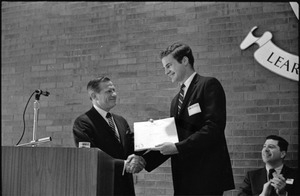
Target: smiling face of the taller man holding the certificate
{"x":175,"y":70}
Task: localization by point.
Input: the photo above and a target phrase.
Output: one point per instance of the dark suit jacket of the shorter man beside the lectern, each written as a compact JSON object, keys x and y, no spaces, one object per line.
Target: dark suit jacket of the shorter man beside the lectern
{"x":91,"y":127}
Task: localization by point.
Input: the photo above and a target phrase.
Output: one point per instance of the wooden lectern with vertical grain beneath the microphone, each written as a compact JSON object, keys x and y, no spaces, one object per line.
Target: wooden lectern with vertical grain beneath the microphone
{"x":44,"y":171}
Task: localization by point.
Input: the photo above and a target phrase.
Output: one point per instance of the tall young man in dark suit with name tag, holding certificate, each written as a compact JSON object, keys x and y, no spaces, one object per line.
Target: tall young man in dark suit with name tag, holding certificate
{"x":200,"y":160}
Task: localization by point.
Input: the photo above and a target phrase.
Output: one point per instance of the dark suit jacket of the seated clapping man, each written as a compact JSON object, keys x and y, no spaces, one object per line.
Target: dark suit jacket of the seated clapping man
{"x":255,"y":180}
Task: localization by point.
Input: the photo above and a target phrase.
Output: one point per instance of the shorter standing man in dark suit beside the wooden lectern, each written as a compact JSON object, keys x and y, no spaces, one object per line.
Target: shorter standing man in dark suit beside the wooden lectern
{"x":109,"y":132}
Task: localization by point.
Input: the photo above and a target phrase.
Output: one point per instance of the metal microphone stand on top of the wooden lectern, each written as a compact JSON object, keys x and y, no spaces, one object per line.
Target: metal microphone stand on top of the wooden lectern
{"x":36,"y":107}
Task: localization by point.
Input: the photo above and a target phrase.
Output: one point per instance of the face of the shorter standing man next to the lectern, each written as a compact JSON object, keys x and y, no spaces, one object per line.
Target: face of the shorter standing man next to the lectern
{"x":107,"y":97}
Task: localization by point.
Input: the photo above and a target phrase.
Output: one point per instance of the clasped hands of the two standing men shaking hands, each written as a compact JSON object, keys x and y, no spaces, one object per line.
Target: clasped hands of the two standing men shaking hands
{"x":134,"y":164}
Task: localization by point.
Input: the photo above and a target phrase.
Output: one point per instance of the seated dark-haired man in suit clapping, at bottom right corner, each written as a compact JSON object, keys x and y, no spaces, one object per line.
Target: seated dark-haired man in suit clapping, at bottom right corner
{"x":275,"y":178}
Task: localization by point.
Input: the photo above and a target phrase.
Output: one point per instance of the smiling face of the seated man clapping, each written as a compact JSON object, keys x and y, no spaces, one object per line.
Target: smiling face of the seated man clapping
{"x":271,"y":153}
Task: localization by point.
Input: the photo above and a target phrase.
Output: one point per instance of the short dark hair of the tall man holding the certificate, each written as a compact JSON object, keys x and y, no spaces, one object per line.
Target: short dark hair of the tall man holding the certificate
{"x":179,"y":50}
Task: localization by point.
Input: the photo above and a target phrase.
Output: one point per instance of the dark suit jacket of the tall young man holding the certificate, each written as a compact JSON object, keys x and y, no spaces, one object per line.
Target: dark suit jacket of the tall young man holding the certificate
{"x":202,"y":166}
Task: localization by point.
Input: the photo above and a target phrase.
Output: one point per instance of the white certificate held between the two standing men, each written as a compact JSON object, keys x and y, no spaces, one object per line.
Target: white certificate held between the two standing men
{"x":149,"y":134}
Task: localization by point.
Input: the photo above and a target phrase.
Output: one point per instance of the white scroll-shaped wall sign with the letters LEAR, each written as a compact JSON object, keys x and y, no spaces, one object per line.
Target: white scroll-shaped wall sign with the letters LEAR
{"x":272,"y":57}
